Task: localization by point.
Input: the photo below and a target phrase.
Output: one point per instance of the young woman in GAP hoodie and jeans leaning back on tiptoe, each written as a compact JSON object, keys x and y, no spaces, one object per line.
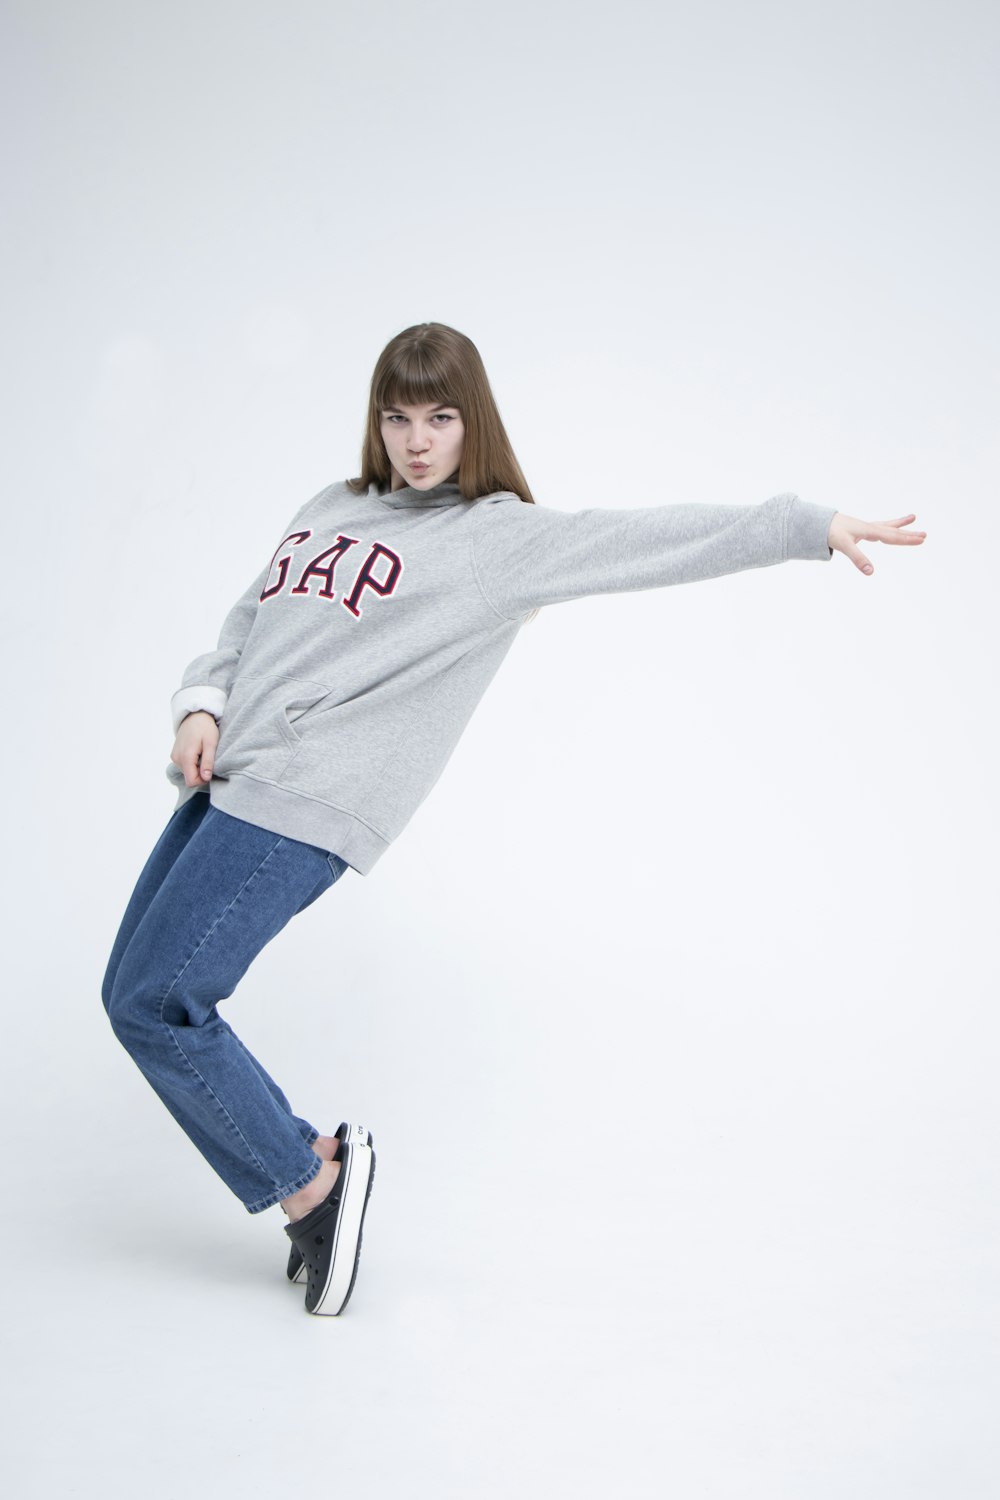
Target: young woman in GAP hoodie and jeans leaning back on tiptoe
{"x":341,"y":685}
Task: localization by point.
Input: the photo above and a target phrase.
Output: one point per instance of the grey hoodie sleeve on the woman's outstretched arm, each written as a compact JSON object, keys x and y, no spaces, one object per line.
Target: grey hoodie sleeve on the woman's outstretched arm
{"x":528,"y":556}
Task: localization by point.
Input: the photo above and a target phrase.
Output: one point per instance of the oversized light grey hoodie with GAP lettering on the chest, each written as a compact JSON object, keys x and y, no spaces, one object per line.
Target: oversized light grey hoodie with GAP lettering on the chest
{"x":347,"y":673}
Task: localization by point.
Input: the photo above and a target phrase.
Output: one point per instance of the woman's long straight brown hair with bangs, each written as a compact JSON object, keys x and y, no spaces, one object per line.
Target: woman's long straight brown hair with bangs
{"x":436,"y":364}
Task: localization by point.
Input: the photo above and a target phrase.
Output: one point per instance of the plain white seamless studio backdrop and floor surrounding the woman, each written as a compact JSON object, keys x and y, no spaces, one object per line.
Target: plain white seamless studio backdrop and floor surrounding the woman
{"x":674,"y":1009}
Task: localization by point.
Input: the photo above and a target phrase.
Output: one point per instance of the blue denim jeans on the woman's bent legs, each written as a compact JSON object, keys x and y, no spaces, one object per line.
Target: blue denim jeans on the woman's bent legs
{"x":214,"y":892}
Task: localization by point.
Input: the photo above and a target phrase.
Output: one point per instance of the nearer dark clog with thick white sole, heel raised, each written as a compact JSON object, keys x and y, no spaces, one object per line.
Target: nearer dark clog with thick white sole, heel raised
{"x":329,"y":1238}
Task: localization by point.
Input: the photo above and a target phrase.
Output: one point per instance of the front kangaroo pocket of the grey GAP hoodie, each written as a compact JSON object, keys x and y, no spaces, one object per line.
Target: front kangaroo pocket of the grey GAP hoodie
{"x":257,"y":731}
